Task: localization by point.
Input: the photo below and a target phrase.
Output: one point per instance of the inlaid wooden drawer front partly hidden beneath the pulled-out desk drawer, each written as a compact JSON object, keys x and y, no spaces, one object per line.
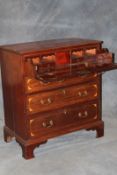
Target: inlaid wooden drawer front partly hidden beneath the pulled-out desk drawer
{"x":33,"y":85}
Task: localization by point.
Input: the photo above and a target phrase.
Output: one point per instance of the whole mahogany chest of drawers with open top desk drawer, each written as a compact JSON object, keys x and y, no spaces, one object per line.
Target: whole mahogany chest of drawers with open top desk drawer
{"x":52,"y":88}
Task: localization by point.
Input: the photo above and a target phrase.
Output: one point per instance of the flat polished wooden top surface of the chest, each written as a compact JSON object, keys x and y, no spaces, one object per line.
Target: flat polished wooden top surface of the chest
{"x":46,"y":45}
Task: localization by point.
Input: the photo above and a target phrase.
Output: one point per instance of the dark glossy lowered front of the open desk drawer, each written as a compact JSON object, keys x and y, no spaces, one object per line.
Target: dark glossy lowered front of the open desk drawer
{"x":77,"y":67}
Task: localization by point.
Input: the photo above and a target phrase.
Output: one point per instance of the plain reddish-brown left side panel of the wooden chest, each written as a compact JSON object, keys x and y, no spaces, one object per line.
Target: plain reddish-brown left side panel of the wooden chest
{"x":13,"y":90}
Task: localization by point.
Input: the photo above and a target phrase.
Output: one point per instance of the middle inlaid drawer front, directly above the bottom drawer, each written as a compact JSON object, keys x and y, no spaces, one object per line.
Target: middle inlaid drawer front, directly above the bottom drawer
{"x":61,"y":97}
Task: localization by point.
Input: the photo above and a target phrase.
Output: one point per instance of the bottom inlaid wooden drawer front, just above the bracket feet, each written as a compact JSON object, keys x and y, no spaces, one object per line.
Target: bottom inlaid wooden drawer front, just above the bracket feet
{"x":45,"y":124}
